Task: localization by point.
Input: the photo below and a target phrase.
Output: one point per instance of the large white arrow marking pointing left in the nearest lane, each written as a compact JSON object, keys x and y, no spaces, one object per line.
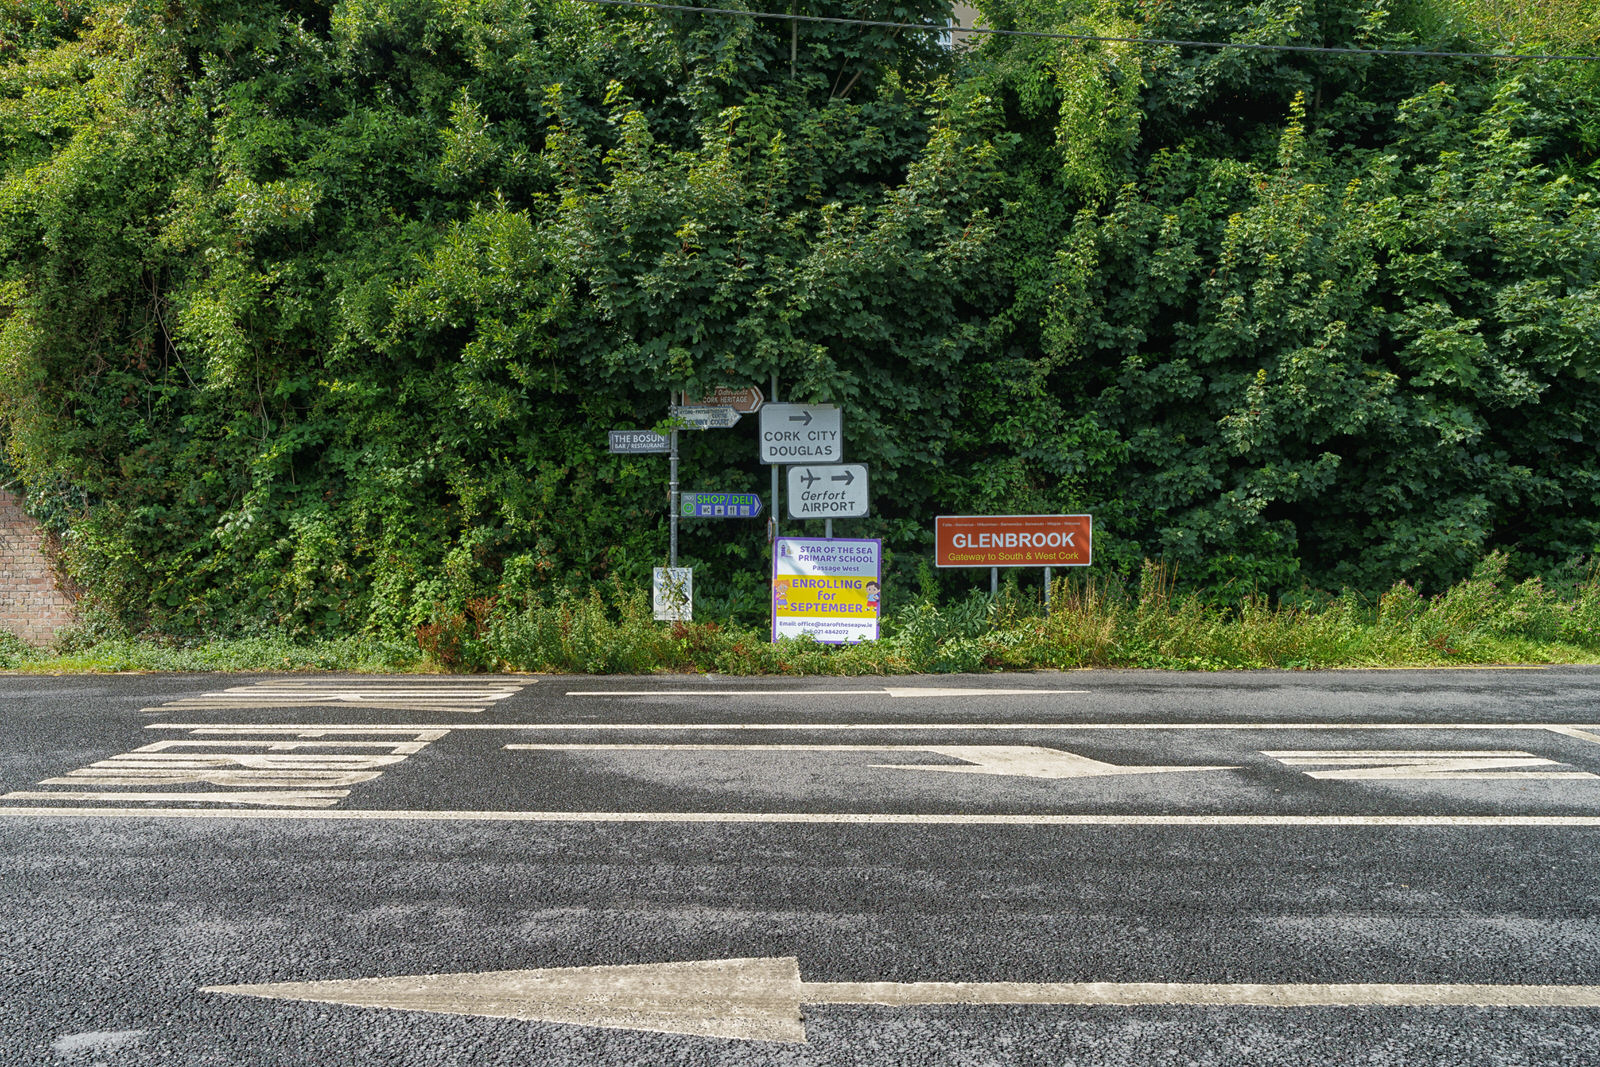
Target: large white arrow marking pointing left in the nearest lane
{"x":759,"y":1001}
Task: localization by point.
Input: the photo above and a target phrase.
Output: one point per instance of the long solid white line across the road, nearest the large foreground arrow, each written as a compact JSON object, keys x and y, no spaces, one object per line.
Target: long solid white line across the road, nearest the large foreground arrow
{"x":825,"y":818}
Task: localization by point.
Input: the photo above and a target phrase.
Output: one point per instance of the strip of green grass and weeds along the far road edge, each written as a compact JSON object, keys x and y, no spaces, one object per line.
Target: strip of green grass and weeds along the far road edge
{"x":1095,"y":623}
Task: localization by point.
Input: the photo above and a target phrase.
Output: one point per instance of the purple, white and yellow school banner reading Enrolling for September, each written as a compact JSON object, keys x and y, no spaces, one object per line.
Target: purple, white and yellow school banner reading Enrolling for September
{"x":830,"y":588}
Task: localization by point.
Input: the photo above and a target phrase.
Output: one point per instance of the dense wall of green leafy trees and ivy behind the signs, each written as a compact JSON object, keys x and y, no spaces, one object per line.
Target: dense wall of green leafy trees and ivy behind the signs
{"x":318,"y":316}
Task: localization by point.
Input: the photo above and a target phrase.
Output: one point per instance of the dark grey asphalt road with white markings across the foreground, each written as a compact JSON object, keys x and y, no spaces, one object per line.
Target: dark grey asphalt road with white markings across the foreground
{"x":1110,"y":834}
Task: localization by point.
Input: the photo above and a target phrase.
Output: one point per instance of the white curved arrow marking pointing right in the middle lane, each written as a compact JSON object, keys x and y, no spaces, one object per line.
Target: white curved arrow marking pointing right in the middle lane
{"x":1015,"y":761}
